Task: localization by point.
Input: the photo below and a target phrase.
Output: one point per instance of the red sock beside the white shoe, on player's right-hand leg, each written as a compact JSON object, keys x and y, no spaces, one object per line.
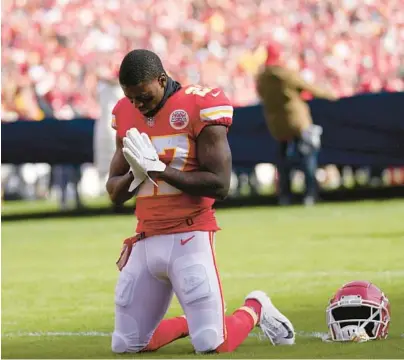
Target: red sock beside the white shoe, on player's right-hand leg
{"x":238,"y":326}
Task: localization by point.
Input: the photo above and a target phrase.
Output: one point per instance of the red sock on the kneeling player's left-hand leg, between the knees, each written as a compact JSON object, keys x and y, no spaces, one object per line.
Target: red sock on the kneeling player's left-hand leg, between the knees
{"x":168,"y":331}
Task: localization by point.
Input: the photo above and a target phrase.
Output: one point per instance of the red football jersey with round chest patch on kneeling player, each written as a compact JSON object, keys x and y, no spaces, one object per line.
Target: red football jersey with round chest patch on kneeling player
{"x":173,"y":131}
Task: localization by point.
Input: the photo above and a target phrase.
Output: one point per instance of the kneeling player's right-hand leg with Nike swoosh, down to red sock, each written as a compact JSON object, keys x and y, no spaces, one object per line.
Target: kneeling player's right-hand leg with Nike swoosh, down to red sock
{"x":196,"y":282}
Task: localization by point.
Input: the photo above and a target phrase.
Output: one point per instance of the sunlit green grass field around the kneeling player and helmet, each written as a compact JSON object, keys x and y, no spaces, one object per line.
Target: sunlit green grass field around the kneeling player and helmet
{"x":58,"y":278}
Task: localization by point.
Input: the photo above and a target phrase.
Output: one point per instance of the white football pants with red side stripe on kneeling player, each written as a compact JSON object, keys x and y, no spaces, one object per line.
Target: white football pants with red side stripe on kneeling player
{"x":159,"y":266}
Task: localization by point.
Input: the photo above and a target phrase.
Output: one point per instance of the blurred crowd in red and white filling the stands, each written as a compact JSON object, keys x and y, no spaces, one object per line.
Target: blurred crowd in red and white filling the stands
{"x":54,"y":52}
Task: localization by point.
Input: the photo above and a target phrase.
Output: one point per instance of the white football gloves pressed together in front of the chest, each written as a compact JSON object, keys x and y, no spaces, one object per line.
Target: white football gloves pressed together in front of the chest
{"x":141,"y":154}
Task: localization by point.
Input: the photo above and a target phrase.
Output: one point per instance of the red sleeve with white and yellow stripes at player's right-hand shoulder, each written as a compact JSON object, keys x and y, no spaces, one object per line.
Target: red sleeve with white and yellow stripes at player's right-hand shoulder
{"x":214,"y":108}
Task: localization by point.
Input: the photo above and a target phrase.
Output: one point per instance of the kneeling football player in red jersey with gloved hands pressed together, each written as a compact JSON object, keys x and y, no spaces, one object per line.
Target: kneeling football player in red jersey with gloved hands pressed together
{"x":172,"y":153}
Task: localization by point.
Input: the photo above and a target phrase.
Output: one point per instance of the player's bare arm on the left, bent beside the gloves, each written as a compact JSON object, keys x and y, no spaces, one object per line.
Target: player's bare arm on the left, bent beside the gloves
{"x":119,"y":176}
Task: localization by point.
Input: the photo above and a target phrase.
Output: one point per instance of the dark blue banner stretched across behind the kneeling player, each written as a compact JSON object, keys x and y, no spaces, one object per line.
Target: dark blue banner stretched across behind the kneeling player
{"x":362,"y":130}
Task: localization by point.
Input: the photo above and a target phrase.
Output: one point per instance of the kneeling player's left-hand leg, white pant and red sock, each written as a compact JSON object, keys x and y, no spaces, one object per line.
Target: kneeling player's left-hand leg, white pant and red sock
{"x":142,"y":300}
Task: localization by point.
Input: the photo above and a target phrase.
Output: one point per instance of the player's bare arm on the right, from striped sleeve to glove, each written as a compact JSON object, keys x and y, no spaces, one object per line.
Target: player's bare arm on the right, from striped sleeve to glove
{"x":214,"y":157}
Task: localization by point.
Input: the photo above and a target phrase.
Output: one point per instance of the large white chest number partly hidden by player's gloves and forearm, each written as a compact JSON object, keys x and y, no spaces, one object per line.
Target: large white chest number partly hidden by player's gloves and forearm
{"x":177,"y":148}
